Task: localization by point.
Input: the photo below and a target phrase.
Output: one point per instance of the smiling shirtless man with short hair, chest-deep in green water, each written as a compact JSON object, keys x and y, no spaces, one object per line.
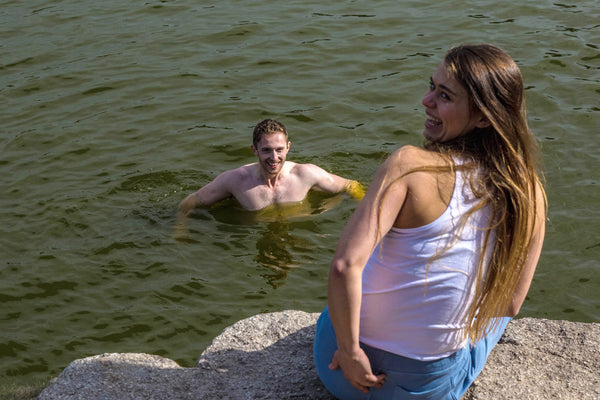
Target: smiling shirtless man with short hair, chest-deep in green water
{"x":271,"y":180}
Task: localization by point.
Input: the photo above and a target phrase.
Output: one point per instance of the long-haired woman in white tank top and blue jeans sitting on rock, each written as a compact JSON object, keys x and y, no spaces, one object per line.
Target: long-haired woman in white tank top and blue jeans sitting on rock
{"x":440,"y":253}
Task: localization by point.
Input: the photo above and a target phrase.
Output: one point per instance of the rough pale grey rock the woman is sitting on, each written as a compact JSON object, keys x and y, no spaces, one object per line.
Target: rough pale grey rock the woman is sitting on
{"x":269,"y":356}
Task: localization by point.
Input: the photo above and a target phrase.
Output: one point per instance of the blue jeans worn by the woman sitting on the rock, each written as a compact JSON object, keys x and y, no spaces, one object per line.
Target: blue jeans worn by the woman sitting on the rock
{"x":447,"y":378}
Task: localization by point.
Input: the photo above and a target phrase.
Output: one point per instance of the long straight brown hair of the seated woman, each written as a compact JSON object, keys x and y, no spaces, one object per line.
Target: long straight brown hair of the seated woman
{"x":505,"y":154}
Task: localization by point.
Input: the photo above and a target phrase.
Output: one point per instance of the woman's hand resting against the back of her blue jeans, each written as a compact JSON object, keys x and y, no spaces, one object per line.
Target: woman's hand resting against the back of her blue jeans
{"x":357,"y":370}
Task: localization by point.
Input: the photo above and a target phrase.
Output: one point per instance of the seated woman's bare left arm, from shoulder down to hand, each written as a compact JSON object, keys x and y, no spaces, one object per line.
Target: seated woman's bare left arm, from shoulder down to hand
{"x":358,"y":240}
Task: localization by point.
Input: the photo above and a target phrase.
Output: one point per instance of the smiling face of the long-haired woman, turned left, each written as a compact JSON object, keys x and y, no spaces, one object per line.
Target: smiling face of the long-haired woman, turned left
{"x":447,"y":107}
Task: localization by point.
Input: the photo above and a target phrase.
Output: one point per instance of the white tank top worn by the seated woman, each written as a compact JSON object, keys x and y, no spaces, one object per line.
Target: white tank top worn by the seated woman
{"x":414,"y":305}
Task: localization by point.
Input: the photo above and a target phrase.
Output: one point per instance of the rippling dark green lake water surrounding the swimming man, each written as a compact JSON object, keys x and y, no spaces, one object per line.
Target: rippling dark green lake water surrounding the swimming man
{"x":113,"y":111}
